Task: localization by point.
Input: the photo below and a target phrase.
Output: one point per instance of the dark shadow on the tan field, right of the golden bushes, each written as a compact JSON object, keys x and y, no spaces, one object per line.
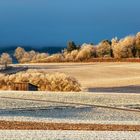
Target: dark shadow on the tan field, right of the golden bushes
{"x":122,"y":89}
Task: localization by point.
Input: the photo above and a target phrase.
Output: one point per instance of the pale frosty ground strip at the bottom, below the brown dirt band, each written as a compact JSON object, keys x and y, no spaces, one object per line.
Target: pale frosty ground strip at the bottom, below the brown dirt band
{"x":68,"y":135}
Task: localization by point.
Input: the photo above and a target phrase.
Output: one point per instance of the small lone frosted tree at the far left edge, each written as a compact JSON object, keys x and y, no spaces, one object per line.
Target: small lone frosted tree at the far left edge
{"x":5,"y":59}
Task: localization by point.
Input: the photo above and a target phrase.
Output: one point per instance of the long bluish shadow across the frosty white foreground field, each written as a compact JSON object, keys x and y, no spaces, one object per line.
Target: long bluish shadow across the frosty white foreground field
{"x":52,"y":112}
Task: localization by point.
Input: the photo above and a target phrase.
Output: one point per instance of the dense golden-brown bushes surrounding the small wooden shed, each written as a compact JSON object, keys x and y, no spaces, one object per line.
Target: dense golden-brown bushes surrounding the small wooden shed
{"x":44,"y":81}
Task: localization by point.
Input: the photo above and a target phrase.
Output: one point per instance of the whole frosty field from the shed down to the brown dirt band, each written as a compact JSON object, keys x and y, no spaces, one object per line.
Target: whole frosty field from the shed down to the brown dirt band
{"x":24,"y":110}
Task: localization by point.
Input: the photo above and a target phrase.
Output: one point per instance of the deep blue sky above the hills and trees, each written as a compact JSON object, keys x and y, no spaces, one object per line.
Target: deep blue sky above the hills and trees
{"x":54,"y":22}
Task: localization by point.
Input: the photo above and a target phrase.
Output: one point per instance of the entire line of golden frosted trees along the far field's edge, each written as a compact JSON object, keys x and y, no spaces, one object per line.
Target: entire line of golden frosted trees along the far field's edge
{"x":128,"y":47}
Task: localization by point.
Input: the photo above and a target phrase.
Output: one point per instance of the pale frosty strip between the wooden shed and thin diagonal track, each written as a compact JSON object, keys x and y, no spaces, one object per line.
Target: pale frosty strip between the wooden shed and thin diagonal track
{"x":109,"y":99}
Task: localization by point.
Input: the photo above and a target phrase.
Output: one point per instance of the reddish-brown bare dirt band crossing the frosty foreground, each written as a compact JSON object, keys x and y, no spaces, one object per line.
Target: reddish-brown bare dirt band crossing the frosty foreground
{"x":15,"y":125}
